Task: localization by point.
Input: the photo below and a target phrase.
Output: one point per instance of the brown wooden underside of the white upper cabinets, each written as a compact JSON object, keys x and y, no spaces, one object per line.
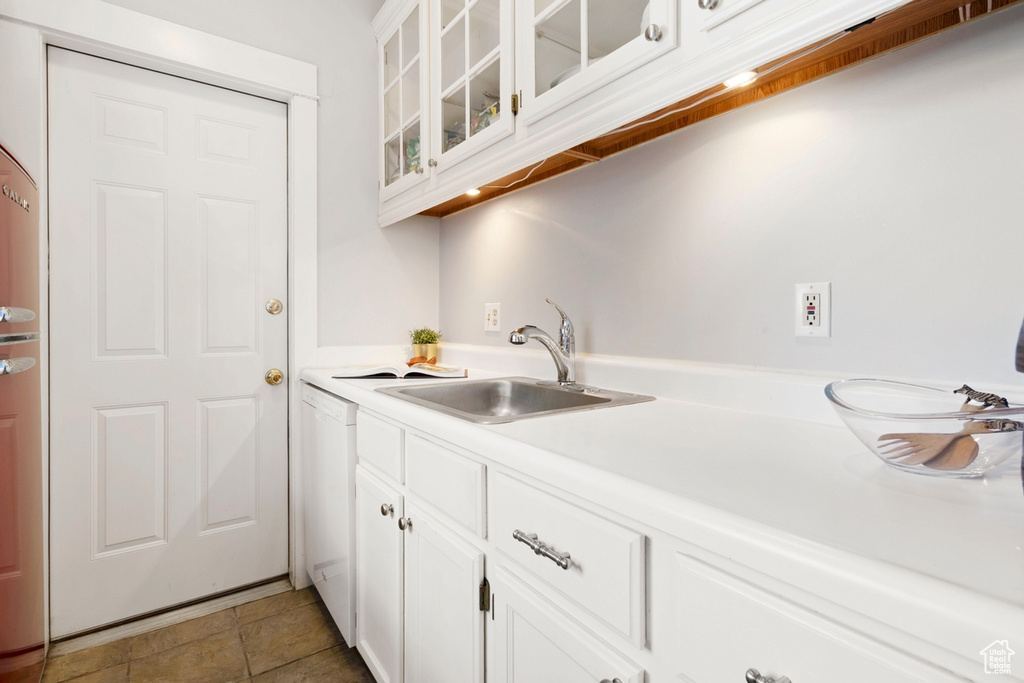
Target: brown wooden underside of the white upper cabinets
{"x":905,"y":26}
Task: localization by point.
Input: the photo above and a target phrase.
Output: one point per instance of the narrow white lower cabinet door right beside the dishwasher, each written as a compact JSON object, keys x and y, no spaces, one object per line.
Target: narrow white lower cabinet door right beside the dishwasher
{"x":379,"y":577}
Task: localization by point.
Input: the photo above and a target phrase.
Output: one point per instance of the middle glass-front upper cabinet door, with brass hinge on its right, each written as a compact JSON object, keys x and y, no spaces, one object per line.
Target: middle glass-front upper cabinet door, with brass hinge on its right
{"x":472,"y":76}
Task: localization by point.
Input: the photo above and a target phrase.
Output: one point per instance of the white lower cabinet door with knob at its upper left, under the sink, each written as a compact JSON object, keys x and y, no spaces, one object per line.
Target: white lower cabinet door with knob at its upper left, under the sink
{"x":444,"y":622}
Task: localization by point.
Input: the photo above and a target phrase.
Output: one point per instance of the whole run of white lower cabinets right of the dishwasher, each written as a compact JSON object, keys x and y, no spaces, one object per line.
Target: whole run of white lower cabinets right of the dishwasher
{"x":582,"y":594}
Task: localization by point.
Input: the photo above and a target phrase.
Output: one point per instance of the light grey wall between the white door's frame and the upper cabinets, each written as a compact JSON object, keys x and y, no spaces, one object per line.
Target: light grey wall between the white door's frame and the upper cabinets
{"x":374,"y":285}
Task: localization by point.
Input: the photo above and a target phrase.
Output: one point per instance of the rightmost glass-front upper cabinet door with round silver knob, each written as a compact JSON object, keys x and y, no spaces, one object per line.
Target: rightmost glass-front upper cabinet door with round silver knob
{"x":568,"y":49}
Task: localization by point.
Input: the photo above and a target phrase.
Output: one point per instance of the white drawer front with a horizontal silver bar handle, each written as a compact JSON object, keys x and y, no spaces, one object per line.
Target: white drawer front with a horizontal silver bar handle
{"x":606,"y":577}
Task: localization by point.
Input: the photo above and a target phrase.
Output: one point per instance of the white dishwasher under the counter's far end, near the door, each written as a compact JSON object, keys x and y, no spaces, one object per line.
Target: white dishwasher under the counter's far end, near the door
{"x":329,"y":493}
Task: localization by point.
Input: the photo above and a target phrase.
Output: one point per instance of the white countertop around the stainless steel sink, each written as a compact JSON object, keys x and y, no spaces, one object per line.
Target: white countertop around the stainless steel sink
{"x":810,"y":486}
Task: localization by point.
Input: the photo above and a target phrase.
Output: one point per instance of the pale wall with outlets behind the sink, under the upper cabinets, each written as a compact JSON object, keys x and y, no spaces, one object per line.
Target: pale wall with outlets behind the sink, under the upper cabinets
{"x":899,"y":181}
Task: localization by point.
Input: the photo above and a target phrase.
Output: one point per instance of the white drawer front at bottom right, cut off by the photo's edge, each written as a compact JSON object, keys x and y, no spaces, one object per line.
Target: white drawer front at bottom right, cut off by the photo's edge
{"x":729,"y":626}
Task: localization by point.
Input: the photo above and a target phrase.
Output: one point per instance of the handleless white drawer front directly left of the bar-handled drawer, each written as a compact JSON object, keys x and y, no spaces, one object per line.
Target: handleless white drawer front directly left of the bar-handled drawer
{"x":451,"y":483}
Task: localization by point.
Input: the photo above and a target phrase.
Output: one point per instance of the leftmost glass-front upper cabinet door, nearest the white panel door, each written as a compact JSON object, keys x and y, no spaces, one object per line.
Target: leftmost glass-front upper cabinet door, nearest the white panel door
{"x":404,"y":111}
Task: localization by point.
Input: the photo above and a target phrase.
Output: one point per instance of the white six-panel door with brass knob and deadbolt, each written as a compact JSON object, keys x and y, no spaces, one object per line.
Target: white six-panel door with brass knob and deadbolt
{"x":168,"y":235}
